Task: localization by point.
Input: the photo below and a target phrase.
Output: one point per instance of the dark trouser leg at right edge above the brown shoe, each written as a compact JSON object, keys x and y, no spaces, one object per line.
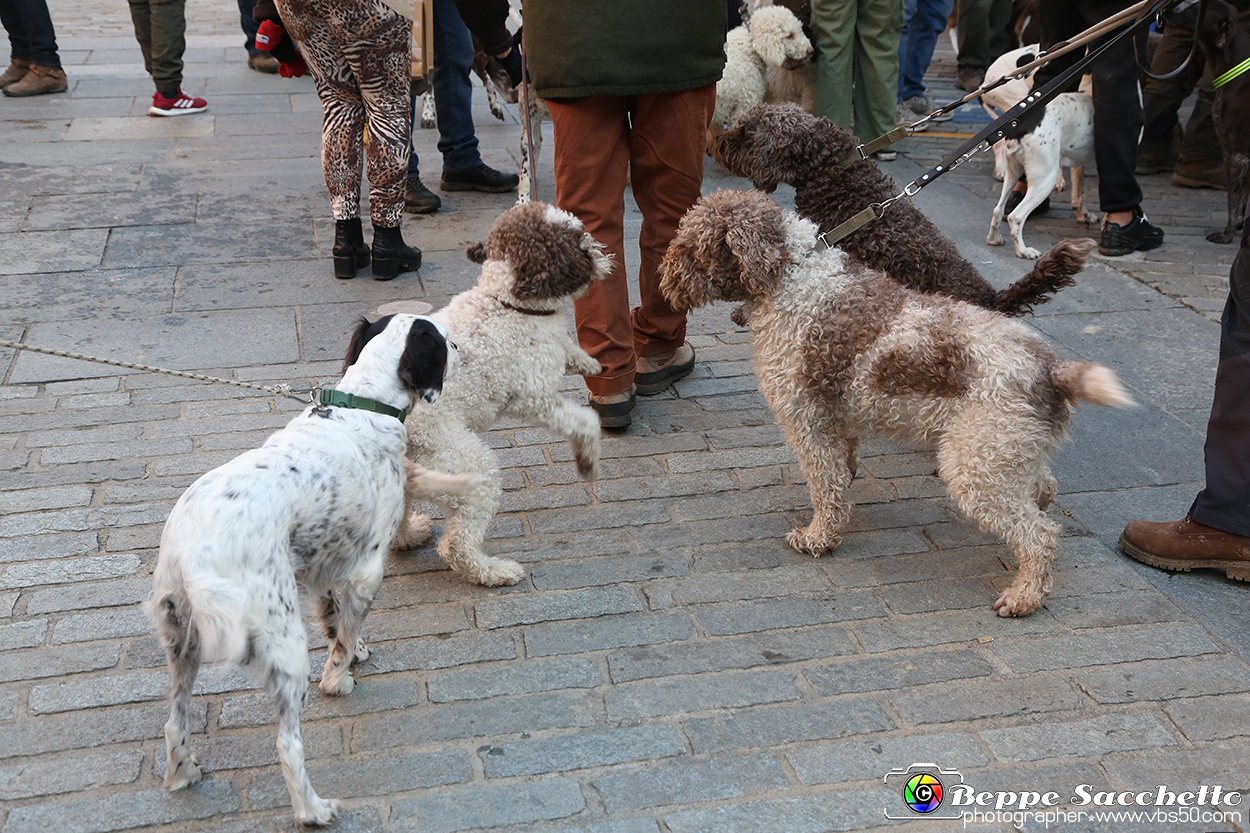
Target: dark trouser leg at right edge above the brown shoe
{"x":1226,"y":502}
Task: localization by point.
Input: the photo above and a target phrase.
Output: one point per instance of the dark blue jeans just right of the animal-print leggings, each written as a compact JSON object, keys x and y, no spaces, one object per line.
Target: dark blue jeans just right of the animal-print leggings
{"x":453,"y":93}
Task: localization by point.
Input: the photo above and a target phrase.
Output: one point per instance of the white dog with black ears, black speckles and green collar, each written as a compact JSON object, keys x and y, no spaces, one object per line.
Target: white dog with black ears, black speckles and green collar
{"x":316,"y":508}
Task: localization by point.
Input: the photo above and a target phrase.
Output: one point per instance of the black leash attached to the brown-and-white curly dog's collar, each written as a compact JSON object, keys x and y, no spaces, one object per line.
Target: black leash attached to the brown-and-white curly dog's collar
{"x":988,"y":136}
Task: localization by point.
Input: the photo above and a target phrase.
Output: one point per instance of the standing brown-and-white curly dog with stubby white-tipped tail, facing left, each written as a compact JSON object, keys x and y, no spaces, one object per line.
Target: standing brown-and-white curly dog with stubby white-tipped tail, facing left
{"x":842,"y":351}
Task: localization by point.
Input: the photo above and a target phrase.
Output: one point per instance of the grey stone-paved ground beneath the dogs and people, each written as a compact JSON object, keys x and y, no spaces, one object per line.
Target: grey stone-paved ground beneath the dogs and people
{"x":668,"y":665}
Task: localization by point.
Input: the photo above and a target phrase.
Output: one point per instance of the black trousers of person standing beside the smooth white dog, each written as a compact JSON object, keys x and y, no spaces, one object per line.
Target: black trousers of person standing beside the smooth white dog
{"x":1117,"y":97}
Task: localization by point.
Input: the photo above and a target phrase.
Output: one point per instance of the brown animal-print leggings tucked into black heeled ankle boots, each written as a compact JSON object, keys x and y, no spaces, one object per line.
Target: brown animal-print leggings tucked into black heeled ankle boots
{"x":359,"y":54}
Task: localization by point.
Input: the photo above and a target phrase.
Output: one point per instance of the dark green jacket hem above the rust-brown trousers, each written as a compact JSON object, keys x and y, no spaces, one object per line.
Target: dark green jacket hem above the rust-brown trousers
{"x":578,"y":48}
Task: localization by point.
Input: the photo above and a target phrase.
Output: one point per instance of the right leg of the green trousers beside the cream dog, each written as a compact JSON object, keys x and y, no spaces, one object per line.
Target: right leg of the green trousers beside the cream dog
{"x":877,"y":68}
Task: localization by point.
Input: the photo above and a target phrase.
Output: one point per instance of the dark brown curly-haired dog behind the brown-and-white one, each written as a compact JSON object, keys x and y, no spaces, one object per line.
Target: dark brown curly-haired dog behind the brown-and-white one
{"x":781,"y":143}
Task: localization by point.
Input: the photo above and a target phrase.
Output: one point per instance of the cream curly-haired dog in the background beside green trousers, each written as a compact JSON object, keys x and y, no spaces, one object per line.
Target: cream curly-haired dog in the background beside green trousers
{"x":772,"y":38}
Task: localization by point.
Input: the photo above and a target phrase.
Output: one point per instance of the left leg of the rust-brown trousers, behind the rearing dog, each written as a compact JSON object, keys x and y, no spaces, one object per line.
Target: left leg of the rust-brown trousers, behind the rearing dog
{"x":592,"y":161}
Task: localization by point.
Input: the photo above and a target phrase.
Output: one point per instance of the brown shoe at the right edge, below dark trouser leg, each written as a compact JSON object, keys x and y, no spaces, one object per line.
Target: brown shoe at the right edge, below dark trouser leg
{"x":1186,"y":545}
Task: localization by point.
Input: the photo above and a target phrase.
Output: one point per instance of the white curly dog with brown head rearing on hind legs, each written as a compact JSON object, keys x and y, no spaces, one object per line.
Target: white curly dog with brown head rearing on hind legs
{"x":516,"y":348}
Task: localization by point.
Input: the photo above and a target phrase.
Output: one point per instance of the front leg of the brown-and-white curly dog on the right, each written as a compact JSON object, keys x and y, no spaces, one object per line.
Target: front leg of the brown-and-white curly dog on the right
{"x":829,"y":463}
